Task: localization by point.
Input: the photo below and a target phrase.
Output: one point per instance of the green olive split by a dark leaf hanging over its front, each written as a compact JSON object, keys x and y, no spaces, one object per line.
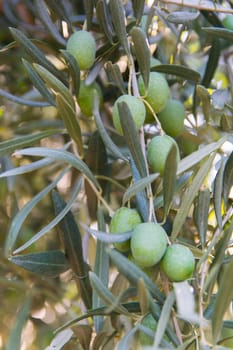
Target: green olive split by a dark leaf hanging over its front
{"x":136,"y":107}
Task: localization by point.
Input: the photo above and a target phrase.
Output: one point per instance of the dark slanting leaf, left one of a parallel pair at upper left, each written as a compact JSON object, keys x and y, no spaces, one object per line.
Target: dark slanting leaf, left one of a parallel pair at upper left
{"x":38,"y":82}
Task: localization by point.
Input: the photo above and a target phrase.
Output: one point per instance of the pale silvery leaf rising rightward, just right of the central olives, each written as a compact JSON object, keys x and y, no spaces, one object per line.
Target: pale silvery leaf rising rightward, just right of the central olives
{"x":188,"y":162}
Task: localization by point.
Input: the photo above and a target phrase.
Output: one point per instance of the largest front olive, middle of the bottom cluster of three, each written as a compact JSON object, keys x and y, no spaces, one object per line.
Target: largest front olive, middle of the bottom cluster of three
{"x":148,"y":244}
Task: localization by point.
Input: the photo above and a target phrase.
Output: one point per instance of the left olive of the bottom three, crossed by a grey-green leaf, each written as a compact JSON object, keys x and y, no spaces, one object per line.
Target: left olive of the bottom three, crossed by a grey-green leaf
{"x":124,"y":220}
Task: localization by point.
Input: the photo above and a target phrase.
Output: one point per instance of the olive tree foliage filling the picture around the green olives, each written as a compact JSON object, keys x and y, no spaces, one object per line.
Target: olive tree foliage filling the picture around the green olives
{"x":64,"y":174}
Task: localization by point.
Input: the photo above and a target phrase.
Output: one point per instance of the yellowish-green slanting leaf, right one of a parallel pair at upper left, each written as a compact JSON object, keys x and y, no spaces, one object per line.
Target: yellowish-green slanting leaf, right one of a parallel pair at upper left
{"x":55,"y":84}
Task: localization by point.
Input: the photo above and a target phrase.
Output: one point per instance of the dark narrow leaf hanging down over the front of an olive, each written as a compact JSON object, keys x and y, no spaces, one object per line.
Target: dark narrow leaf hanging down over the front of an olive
{"x":132,"y":138}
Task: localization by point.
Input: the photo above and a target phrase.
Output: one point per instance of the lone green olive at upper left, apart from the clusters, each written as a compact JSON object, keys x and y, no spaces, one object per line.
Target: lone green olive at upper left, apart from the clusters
{"x":82,"y":46}
